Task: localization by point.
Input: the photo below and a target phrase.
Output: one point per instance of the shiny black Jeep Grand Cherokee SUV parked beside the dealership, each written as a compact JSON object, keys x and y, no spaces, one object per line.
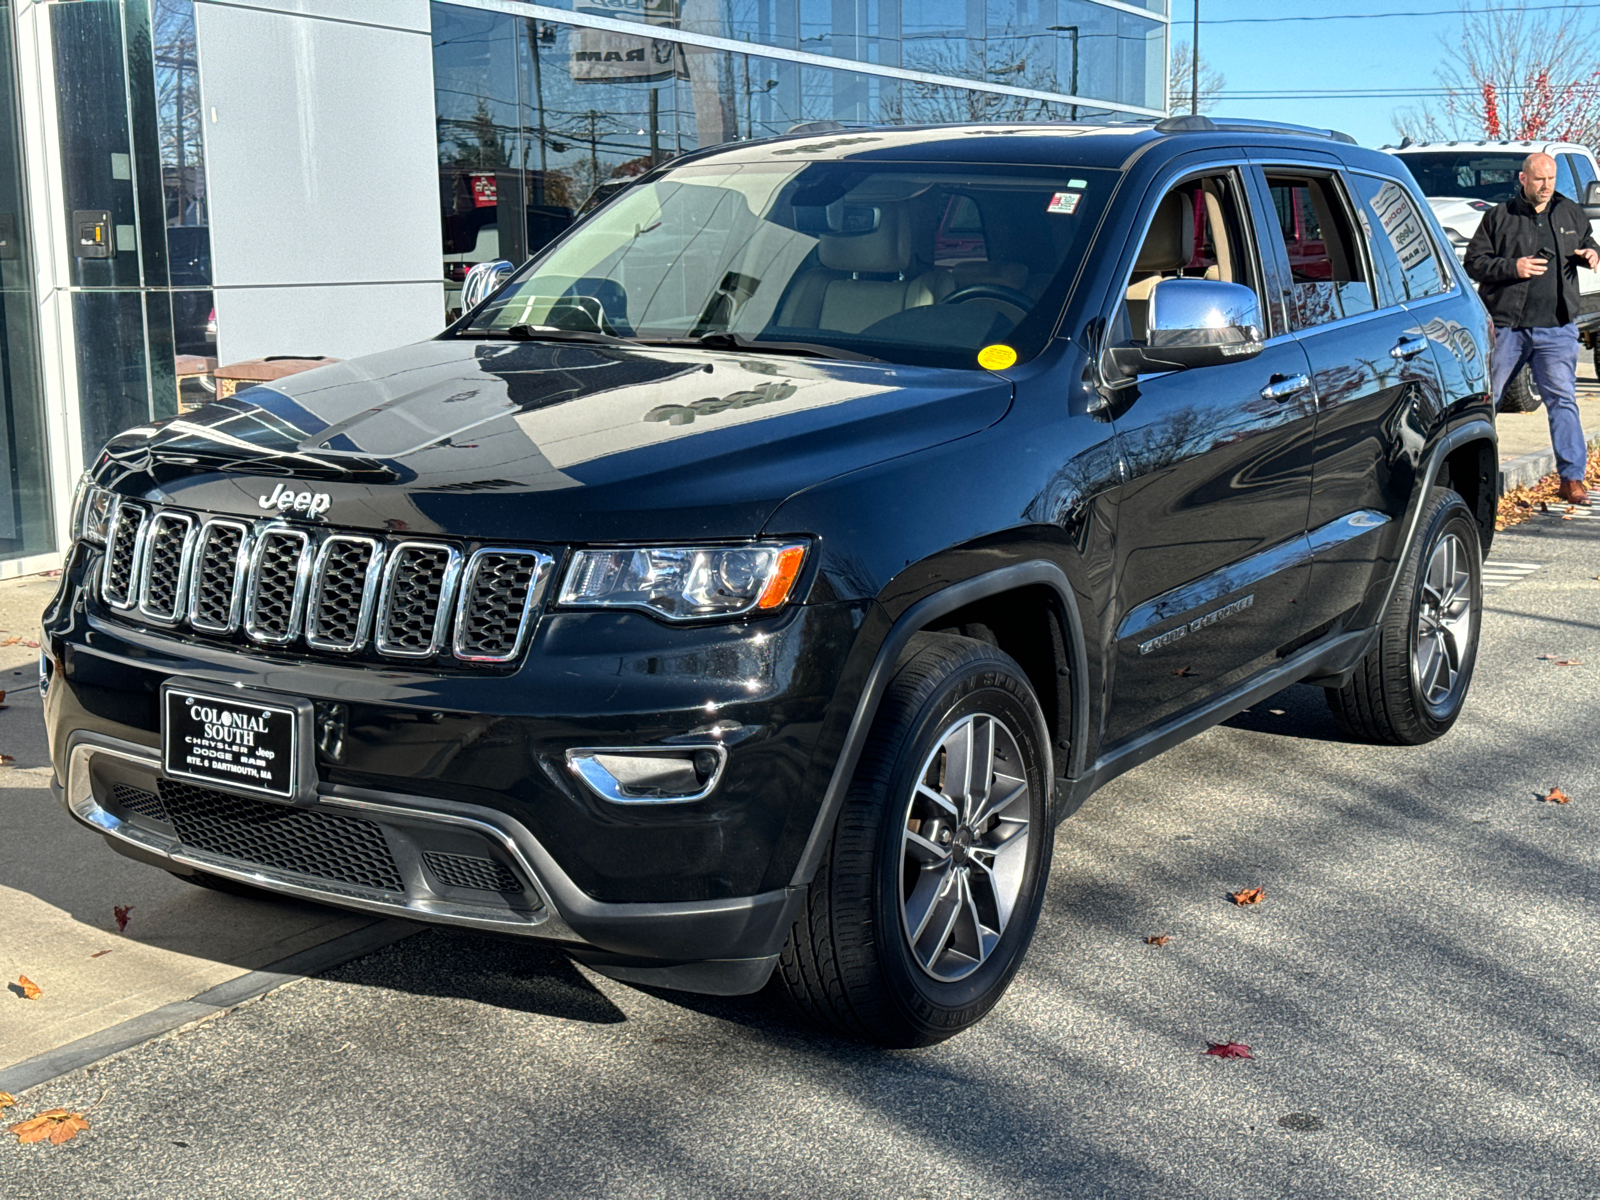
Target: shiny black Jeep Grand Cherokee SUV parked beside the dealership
{"x":753,"y":583}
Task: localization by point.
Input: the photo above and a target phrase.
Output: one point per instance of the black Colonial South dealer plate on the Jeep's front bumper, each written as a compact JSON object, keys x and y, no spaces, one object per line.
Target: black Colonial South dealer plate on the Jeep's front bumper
{"x":242,"y":743}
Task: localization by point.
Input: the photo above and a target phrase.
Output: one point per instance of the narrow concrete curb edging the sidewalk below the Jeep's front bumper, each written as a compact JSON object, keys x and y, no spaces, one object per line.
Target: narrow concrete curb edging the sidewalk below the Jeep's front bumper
{"x":87,"y":1050}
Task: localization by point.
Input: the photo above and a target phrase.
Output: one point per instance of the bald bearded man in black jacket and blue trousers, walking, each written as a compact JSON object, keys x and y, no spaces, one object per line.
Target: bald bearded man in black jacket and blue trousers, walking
{"x":1526,"y":262}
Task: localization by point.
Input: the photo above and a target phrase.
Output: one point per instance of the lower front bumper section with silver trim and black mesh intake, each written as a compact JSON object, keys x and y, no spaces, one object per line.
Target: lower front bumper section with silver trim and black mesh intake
{"x":495,"y":874}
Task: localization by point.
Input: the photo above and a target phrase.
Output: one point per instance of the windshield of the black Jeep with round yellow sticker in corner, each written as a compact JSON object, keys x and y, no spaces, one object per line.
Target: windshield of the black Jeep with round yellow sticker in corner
{"x":921,"y":265}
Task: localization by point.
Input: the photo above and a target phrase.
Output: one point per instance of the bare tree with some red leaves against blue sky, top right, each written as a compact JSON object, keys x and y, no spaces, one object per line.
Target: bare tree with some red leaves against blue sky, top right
{"x":1518,"y":76}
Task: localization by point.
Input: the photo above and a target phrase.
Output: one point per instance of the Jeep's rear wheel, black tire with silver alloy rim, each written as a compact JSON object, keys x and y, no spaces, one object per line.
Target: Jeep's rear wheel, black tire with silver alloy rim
{"x":1412,"y":684}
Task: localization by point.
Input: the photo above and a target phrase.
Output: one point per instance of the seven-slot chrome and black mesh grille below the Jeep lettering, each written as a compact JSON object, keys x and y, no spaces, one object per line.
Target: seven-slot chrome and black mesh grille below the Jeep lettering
{"x":282,"y":585}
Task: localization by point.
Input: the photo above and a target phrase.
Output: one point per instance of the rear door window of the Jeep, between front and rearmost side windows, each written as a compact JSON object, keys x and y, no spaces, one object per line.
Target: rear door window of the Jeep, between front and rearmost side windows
{"x":1326,"y":262}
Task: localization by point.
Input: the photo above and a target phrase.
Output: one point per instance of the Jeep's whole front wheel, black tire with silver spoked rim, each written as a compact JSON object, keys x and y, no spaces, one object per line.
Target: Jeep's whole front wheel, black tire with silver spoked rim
{"x":897,"y":858}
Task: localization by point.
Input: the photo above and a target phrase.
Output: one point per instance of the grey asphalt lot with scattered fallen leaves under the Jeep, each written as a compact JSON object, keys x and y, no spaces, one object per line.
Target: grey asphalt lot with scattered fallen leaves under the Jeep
{"x":1418,"y":991}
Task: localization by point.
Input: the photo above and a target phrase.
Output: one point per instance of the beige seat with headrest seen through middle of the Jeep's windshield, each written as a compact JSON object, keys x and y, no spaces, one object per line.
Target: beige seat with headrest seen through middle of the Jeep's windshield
{"x":838,"y":298}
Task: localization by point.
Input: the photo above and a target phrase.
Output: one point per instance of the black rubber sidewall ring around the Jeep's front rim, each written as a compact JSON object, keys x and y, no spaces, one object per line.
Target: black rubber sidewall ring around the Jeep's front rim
{"x":942,"y":1009}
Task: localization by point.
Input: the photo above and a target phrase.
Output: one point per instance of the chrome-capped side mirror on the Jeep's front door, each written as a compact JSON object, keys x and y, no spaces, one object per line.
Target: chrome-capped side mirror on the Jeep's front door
{"x":1194,"y":322}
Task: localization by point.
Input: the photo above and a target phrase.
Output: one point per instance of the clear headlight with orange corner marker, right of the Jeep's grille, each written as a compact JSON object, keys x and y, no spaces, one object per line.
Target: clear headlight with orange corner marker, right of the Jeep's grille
{"x":684,"y":583}
